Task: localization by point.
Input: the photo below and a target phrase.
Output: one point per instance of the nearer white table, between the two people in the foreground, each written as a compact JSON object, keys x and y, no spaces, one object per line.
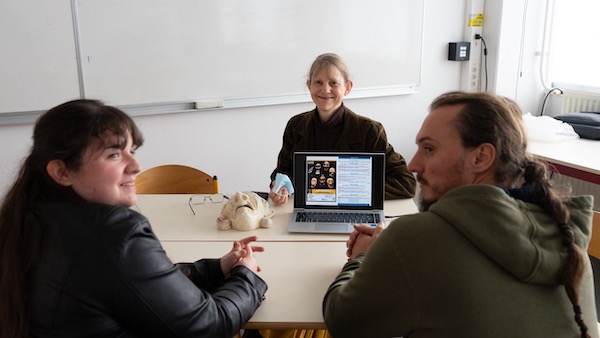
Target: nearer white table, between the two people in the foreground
{"x":297,"y":273}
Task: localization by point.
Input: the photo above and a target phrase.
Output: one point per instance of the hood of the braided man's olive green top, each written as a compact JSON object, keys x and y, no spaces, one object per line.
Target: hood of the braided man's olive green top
{"x":519,"y":236}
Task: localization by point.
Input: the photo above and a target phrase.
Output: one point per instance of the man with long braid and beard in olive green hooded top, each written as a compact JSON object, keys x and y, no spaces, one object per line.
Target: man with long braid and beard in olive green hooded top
{"x":497,"y":251}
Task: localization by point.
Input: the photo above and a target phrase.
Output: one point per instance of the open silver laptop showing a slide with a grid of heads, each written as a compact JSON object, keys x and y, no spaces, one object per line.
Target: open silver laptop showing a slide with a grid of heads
{"x":335,"y":190}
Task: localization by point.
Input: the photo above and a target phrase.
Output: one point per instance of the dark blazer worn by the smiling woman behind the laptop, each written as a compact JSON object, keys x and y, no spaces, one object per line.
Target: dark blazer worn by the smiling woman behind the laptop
{"x":359,"y":133}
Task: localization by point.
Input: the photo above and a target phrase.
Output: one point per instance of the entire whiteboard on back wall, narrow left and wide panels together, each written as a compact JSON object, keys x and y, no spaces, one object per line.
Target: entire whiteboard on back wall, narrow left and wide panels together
{"x":155,"y":52}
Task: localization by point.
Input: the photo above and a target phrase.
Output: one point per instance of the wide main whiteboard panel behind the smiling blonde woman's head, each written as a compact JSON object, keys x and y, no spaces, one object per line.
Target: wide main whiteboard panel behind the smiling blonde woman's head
{"x":144,"y":51}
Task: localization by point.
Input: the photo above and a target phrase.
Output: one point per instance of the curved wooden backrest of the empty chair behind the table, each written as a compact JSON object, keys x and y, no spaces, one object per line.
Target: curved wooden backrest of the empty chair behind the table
{"x":175,"y":179}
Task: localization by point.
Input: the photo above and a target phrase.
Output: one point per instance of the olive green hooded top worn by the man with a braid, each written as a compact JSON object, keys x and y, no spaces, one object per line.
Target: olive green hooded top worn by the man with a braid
{"x":479,"y":263}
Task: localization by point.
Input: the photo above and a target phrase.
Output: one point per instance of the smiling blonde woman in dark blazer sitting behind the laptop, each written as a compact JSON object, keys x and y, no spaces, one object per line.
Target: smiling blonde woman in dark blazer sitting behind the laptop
{"x":333,"y":126}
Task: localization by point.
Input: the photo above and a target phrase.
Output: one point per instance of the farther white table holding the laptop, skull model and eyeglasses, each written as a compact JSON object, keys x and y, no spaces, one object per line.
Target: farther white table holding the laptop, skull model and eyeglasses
{"x":172,"y":220}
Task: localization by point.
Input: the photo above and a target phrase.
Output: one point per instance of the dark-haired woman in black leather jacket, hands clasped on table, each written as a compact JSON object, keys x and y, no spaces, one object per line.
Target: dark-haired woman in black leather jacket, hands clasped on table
{"x":76,"y":261}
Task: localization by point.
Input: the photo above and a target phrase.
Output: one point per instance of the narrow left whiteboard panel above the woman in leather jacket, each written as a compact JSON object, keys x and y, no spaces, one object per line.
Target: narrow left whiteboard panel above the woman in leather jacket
{"x":38,"y":65}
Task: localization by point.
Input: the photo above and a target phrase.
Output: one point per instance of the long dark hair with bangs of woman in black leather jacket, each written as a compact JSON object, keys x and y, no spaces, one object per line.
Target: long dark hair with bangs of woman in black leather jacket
{"x":62,"y":133}
